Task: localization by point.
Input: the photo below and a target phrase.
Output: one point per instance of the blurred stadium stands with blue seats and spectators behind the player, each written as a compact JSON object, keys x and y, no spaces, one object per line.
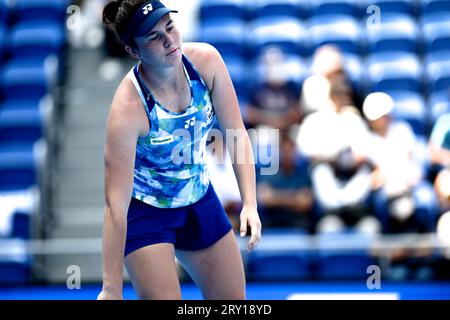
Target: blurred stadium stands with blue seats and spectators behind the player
{"x":359,"y":92}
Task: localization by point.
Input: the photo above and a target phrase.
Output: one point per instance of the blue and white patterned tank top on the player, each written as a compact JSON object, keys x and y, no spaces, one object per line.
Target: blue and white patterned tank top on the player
{"x":170,"y":170}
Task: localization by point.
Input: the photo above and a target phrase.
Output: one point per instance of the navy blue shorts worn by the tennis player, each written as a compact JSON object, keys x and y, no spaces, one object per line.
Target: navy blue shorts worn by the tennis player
{"x":192,"y":227}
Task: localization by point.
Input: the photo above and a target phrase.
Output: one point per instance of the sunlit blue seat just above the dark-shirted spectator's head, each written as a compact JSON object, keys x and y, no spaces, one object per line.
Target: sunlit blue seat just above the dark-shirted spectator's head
{"x":271,"y":31}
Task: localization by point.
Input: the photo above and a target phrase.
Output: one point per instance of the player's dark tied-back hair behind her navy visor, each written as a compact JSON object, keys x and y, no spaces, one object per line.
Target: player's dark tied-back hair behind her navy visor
{"x":120,"y":13}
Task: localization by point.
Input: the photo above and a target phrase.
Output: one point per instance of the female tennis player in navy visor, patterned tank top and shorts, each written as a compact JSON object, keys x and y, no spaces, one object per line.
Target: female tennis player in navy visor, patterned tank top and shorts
{"x":159,"y":202}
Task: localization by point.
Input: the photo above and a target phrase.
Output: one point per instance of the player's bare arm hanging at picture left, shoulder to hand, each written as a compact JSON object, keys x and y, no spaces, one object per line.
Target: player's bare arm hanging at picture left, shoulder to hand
{"x":123,"y":128}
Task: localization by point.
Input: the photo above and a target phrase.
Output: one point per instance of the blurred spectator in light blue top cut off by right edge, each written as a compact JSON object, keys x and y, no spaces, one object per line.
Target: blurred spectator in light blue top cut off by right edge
{"x":439,"y":145}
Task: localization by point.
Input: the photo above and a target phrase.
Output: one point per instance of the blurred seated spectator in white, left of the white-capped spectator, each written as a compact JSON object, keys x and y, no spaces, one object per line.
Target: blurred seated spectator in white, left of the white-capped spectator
{"x":332,"y":138}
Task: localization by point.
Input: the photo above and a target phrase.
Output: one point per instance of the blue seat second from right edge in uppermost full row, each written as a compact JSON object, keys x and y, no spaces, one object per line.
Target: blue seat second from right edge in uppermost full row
{"x":396,"y":32}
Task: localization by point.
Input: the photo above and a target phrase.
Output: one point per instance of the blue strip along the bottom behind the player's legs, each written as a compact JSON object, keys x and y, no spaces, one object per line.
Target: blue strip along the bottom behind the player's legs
{"x":256,"y":291}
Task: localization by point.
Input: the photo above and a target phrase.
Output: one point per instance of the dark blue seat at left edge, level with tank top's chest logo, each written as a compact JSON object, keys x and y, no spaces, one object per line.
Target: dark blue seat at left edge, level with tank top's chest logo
{"x":21,"y":126}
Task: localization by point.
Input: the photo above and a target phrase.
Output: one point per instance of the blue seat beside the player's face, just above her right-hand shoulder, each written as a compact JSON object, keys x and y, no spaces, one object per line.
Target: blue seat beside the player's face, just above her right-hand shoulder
{"x":226,"y":35}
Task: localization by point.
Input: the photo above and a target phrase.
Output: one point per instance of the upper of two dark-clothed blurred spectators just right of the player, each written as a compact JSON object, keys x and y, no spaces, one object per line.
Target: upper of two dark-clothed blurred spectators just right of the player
{"x":274,"y":101}
